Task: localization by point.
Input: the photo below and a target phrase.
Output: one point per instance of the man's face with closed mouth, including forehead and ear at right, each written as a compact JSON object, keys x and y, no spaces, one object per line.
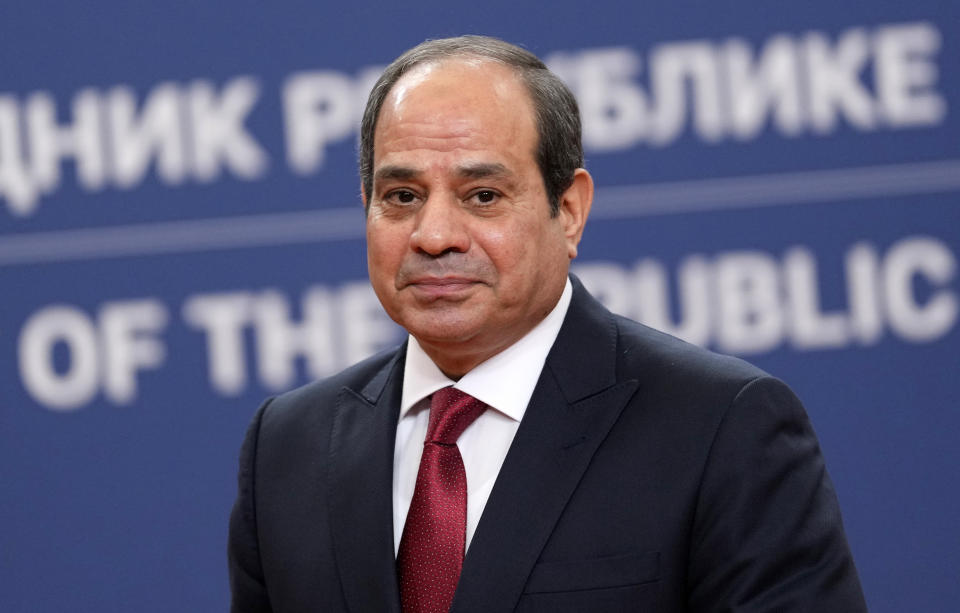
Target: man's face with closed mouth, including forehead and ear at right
{"x":461,"y":247}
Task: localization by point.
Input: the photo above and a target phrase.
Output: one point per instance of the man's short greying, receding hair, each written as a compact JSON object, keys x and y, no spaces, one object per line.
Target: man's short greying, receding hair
{"x":559,"y":148}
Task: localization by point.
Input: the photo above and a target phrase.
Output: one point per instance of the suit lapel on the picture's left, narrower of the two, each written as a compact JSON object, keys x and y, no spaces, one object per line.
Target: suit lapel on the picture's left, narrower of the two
{"x":361,"y":490}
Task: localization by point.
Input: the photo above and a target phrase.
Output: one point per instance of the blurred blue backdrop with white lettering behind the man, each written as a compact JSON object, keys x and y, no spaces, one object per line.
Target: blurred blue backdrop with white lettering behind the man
{"x":181,"y":236}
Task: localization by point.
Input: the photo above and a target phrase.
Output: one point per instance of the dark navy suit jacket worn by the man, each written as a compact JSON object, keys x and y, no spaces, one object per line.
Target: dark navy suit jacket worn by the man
{"x":647,"y":475}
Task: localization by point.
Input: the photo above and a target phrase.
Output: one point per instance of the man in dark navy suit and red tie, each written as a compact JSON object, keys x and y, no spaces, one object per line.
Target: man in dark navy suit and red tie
{"x":583,"y":462}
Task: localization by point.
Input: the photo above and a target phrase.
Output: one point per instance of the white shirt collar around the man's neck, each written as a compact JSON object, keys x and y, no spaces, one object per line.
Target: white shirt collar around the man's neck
{"x":504,"y":381}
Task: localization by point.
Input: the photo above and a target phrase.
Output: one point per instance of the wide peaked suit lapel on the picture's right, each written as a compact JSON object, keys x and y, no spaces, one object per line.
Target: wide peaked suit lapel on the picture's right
{"x":576,"y":402}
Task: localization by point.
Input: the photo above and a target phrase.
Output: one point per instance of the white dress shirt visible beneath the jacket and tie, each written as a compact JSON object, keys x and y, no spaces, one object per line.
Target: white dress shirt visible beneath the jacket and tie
{"x":505,"y":382}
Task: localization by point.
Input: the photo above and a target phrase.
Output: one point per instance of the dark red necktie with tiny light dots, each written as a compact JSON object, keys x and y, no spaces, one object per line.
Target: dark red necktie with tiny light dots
{"x":432,"y":546}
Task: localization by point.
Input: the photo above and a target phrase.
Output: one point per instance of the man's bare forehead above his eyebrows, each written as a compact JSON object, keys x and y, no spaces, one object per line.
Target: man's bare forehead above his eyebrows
{"x":456,"y":104}
